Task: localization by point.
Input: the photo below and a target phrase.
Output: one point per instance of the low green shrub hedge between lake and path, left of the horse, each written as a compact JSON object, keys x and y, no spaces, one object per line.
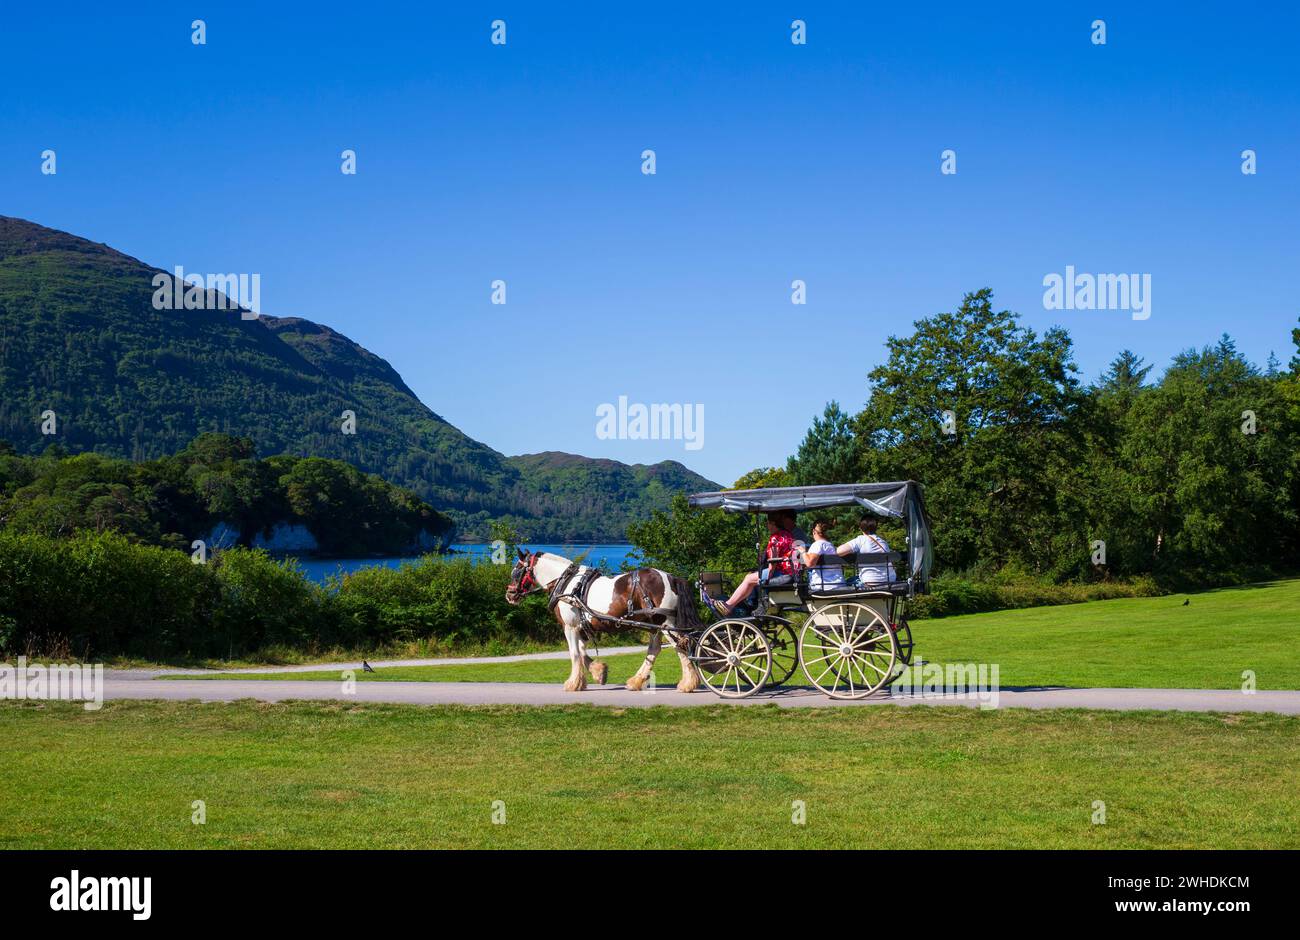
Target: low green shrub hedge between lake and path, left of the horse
{"x":102,"y":595}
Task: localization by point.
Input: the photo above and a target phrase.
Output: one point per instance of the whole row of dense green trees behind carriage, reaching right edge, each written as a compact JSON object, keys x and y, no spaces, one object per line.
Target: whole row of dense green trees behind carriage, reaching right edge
{"x":1194,"y":478}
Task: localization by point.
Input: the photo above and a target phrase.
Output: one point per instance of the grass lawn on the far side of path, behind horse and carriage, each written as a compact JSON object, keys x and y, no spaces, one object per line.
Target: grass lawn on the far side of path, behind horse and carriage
{"x":1130,"y":643}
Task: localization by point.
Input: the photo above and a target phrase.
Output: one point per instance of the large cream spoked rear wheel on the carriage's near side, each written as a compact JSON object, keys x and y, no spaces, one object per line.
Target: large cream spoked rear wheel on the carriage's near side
{"x":848,"y":651}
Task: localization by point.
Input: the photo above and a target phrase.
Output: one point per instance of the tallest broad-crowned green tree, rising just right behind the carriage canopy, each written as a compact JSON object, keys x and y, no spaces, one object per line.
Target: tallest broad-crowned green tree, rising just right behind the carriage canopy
{"x":993,"y":419}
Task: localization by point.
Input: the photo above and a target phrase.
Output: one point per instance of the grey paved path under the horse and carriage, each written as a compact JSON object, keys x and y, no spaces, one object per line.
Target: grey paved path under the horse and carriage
{"x":124,"y":686}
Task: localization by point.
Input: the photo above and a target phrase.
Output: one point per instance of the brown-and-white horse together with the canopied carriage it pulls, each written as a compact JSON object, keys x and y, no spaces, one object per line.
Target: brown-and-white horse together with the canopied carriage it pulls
{"x":850,"y":639}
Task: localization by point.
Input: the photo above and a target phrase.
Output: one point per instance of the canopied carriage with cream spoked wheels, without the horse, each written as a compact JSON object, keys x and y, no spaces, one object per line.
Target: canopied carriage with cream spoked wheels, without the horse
{"x":855,"y":635}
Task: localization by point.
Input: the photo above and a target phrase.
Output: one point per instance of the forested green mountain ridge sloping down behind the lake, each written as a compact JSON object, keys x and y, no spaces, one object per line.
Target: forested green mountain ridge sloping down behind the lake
{"x":80,"y":336}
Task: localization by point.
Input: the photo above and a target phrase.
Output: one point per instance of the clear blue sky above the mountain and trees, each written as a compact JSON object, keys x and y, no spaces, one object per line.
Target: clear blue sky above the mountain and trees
{"x":775,"y":162}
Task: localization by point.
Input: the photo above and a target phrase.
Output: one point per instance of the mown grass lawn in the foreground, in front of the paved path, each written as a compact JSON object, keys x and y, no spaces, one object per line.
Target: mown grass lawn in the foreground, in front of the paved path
{"x":340,"y":776}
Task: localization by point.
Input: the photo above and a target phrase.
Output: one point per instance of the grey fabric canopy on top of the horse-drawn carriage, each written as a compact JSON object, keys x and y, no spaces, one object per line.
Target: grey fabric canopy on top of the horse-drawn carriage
{"x":894,"y":500}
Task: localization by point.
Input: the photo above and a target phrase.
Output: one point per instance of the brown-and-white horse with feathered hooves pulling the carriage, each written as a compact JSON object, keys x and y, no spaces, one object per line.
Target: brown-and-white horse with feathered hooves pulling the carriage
{"x":613,"y":596}
